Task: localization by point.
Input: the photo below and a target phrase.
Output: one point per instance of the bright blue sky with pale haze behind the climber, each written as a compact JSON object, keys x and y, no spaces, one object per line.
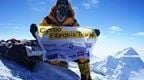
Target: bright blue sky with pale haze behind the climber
{"x":121,"y":21}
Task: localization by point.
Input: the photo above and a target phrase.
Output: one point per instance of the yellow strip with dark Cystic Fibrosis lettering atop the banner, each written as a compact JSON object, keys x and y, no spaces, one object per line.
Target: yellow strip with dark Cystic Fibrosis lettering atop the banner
{"x":59,"y":33}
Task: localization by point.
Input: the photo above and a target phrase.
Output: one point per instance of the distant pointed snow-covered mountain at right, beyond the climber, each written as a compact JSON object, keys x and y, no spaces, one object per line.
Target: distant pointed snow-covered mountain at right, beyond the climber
{"x":121,"y":66}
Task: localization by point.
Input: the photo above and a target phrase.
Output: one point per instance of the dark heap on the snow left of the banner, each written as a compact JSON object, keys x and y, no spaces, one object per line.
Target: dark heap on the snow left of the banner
{"x":16,"y":51}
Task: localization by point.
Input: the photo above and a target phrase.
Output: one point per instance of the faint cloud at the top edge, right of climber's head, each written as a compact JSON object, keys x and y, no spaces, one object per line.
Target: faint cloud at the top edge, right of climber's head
{"x":90,"y":3}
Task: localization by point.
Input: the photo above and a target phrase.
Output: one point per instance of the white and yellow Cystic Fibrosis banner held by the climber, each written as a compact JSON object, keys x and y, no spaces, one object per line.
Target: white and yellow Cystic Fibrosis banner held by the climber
{"x":66,"y":43}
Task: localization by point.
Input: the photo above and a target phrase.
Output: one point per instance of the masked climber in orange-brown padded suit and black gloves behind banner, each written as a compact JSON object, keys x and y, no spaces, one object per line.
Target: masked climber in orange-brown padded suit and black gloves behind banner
{"x":62,"y":14}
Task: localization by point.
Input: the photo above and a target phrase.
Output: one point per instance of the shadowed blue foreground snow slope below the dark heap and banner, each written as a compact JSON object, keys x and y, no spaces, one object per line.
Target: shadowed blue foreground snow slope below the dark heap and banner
{"x":9,"y":70}
